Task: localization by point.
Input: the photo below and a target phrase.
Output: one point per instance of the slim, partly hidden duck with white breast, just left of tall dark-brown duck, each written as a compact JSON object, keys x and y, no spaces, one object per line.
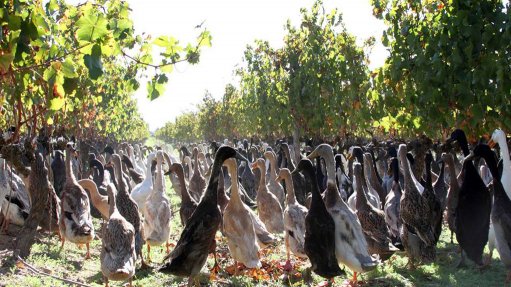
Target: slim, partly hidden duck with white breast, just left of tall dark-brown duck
{"x":392,"y":203}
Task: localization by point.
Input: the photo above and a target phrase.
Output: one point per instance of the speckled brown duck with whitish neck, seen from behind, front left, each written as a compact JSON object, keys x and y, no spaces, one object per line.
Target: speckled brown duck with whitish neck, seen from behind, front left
{"x":117,"y":256}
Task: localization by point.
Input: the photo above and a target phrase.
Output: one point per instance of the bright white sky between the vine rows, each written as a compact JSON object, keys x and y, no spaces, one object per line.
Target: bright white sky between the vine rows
{"x":233,"y":24}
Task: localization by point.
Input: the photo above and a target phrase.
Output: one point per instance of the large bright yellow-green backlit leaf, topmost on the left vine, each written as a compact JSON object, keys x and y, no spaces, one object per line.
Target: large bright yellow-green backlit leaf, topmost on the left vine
{"x":91,"y":27}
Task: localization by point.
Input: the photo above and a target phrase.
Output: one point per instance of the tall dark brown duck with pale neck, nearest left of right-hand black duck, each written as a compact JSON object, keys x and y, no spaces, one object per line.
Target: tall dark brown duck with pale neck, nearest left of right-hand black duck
{"x":417,"y":234}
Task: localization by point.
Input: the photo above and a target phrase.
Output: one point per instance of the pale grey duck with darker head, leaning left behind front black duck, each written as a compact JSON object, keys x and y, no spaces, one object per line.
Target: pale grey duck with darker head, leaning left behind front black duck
{"x":351,"y":248}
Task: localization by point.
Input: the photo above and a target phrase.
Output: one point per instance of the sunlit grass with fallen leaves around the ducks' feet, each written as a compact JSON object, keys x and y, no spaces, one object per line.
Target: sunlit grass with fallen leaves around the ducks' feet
{"x":69,"y":263}
